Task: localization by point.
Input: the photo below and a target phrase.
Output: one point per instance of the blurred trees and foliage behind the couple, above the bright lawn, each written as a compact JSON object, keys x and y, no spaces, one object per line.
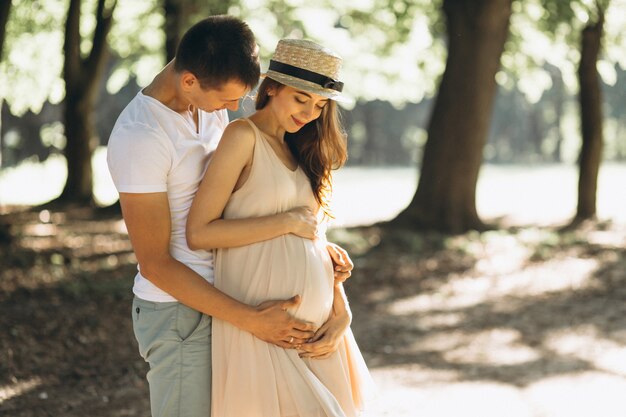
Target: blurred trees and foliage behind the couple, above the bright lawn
{"x":503,"y":82}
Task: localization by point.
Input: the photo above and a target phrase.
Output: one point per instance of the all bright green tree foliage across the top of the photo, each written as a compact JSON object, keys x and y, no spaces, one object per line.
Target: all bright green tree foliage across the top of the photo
{"x":394,"y":50}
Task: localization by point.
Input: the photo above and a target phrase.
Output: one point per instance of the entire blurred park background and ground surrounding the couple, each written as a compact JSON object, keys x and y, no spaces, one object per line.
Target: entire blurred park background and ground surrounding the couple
{"x":452,"y":306}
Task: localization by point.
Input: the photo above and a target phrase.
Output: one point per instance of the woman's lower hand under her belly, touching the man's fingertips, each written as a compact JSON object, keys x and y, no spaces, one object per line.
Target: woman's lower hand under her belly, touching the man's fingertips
{"x":327,"y":338}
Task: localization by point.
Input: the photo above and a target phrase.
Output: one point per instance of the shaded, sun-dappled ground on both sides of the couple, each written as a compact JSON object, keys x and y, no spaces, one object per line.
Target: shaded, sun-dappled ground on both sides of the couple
{"x":518,"y":322}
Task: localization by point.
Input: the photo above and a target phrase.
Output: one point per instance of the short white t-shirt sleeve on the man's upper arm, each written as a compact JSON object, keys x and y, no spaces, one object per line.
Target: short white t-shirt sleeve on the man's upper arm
{"x":139,"y":159}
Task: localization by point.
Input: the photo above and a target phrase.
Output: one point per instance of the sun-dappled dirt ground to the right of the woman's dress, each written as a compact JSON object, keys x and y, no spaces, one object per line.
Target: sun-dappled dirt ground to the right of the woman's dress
{"x":527,"y":324}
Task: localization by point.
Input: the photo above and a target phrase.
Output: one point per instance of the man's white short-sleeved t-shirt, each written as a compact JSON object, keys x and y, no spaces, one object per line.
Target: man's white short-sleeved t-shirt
{"x":155,"y":149}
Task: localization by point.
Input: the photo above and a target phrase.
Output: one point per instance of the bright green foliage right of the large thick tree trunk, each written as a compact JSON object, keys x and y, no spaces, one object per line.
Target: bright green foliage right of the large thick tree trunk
{"x":548,"y":31}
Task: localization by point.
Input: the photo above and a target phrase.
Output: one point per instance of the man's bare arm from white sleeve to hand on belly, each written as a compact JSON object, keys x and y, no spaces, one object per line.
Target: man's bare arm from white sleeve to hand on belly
{"x":147,"y":217}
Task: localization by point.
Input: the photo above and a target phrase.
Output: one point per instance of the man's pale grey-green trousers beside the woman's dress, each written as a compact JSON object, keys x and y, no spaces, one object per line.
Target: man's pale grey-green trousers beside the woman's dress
{"x":176,"y":341}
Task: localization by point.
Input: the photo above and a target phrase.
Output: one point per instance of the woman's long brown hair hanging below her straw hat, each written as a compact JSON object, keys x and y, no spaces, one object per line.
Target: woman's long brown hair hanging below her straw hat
{"x":319,"y":146}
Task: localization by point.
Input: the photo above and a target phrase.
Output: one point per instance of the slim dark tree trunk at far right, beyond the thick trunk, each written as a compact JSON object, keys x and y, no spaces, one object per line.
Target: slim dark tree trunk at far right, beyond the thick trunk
{"x":591,"y":120}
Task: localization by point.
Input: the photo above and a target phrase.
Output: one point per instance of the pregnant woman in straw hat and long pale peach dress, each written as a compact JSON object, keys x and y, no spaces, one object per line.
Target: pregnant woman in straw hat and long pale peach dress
{"x":266,"y":186}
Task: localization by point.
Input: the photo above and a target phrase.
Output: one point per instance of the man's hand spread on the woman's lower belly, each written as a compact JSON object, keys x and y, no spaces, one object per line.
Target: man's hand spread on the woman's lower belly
{"x":273,"y":324}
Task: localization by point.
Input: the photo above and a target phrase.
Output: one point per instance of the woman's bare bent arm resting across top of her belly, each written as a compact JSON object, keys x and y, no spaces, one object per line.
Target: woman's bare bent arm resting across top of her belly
{"x":205,"y":227}
